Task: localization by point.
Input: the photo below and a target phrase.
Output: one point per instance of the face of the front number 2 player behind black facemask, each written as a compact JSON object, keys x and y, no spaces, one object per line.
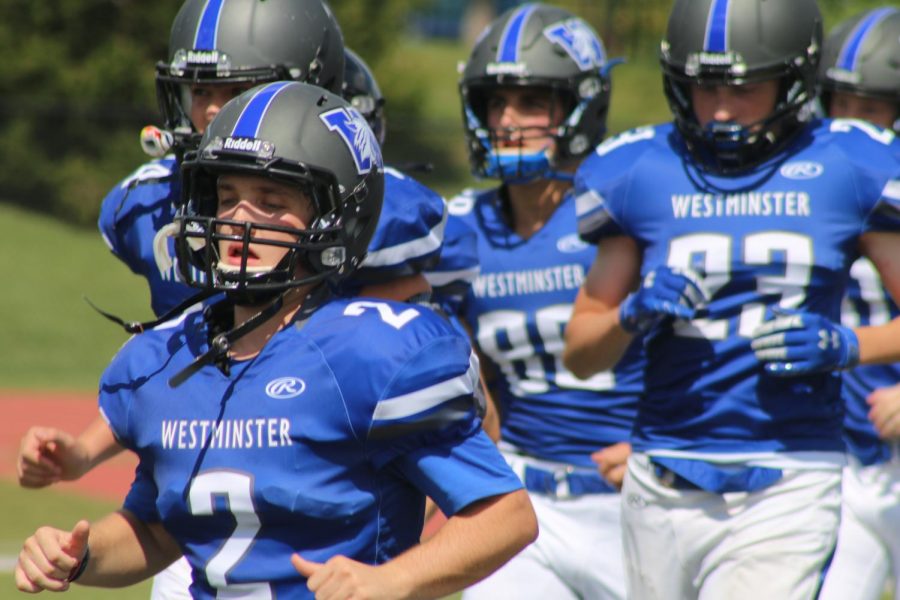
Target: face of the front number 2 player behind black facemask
{"x":259,"y":200}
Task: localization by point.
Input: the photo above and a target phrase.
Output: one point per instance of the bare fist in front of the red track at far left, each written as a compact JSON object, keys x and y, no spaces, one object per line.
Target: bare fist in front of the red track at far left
{"x":48,"y":455}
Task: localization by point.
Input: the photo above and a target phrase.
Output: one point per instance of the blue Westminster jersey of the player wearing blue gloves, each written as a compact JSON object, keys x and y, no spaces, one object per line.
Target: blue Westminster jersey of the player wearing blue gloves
{"x":782,"y":235}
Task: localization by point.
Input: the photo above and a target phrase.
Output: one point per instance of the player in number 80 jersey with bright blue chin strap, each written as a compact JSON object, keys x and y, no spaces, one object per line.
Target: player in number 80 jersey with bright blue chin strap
{"x":535,"y":93}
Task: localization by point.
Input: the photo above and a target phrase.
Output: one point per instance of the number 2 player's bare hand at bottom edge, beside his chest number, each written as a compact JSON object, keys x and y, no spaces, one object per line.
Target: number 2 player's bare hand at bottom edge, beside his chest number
{"x":341,"y":578}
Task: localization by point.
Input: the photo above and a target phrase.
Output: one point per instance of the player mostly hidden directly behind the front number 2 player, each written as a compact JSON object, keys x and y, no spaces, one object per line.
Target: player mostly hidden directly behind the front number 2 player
{"x":216,"y":50}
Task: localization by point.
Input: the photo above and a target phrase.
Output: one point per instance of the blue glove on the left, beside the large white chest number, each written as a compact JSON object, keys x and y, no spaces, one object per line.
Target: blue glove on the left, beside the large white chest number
{"x":665,"y":292}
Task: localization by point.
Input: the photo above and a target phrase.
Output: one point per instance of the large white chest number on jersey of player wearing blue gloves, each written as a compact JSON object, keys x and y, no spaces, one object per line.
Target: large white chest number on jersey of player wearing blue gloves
{"x":712,"y":254}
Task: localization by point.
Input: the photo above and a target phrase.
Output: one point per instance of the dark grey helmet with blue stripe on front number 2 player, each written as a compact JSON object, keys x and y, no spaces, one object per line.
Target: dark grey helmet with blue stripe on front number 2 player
{"x":294,"y":133}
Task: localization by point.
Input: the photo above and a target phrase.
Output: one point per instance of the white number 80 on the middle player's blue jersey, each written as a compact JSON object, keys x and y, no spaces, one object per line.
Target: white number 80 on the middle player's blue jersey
{"x":518,"y":354}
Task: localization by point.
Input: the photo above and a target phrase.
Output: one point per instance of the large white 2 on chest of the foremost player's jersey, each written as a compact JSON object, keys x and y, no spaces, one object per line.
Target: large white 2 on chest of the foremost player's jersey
{"x":237,"y":489}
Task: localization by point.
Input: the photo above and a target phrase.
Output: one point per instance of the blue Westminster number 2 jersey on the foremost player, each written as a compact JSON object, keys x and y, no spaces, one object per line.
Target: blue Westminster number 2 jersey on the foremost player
{"x":319,"y":445}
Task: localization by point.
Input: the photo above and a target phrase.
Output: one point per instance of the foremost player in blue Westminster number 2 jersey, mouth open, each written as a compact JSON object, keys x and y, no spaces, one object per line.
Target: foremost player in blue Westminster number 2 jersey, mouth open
{"x":263,"y":427}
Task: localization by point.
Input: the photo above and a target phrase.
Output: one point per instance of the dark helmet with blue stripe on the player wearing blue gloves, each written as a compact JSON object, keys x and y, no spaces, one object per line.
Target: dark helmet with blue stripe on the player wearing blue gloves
{"x":734,"y":42}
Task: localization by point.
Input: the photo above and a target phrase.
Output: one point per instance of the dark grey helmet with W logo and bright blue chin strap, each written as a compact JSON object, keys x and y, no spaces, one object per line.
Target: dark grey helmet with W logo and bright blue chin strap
{"x":546,"y":47}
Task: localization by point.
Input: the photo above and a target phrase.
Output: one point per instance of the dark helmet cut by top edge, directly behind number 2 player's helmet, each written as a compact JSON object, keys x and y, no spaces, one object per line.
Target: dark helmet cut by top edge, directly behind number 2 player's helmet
{"x":246,"y":41}
